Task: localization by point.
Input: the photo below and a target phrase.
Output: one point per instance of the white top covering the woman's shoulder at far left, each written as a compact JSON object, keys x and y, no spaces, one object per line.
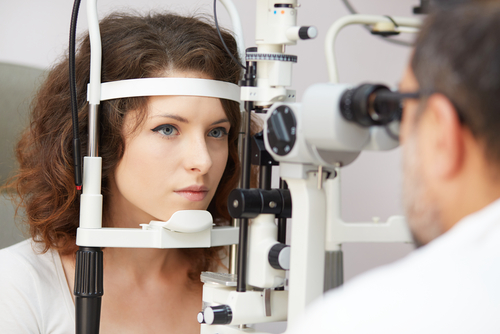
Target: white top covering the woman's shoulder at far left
{"x":35,"y":294}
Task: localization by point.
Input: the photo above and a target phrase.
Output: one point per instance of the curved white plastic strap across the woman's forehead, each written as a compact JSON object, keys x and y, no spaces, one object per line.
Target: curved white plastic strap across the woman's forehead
{"x":169,"y":86}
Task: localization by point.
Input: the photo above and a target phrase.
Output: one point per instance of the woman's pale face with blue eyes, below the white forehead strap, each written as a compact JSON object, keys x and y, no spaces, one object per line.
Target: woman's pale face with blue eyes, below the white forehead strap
{"x":173,"y":161}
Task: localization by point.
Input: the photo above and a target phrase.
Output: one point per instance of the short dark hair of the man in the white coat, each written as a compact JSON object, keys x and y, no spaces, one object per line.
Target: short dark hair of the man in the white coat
{"x":458,"y":54}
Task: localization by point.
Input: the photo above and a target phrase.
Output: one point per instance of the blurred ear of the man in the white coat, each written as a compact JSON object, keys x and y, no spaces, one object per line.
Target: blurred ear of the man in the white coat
{"x":443,"y":138}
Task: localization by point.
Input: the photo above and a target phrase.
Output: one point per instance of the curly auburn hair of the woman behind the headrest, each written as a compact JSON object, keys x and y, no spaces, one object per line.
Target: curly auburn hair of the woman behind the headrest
{"x":133,"y":46}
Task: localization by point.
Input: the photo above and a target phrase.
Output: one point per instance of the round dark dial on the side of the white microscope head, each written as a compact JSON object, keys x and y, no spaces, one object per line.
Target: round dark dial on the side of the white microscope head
{"x":281,"y":130}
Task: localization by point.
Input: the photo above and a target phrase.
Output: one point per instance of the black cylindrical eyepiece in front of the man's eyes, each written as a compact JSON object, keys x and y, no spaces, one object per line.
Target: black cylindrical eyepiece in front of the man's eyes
{"x":371,"y":104}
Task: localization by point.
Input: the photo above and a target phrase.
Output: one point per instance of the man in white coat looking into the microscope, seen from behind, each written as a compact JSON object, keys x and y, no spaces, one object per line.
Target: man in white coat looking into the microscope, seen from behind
{"x":451,"y":148}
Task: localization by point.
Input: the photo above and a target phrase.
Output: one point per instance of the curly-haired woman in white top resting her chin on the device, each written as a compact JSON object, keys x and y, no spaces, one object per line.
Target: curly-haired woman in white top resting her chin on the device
{"x":160,"y":154}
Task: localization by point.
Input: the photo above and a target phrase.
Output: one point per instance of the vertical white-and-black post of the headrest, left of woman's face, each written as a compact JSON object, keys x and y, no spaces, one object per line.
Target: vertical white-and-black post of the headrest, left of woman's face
{"x":89,"y":260}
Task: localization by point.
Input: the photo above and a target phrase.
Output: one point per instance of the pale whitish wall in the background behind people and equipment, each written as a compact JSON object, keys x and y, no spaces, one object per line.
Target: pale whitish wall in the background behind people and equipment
{"x":35,"y":32}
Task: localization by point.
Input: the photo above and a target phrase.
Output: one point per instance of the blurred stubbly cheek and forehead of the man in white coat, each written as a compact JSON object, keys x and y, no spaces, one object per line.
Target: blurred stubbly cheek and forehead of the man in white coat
{"x":421,"y":210}
